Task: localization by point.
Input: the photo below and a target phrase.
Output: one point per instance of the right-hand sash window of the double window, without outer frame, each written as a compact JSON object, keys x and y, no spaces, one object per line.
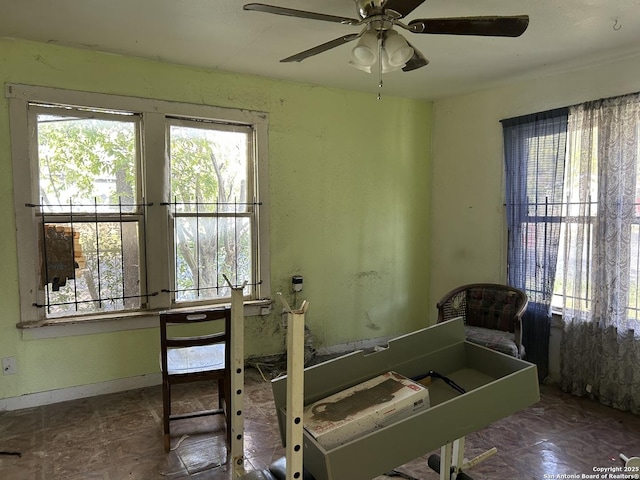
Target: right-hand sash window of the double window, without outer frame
{"x":211,"y":208}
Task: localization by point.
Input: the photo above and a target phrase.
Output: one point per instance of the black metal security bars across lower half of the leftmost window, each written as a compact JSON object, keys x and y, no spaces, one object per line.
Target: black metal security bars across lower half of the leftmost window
{"x":91,"y":257}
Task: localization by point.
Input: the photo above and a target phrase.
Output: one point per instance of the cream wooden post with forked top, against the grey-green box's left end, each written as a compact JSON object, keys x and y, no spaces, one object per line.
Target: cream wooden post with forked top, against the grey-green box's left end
{"x":295,"y":389}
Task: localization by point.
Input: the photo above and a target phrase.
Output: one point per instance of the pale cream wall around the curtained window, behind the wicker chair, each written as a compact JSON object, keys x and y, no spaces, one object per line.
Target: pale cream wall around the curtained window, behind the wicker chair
{"x":469,"y":236}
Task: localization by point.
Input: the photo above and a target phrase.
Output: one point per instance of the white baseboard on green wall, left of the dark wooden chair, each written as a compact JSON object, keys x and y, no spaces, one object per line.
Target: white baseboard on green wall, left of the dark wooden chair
{"x":38,"y":399}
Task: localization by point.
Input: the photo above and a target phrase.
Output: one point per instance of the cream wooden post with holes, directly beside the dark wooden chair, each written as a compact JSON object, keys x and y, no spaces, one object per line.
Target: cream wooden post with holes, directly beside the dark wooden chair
{"x":237,"y":379}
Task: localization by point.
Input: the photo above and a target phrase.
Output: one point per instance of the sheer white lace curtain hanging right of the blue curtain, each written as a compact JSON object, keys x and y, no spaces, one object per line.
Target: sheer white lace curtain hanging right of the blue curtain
{"x":599,"y":258}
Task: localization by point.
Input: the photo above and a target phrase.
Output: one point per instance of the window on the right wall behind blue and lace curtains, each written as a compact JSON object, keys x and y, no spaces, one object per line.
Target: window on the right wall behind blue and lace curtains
{"x":573,"y":187}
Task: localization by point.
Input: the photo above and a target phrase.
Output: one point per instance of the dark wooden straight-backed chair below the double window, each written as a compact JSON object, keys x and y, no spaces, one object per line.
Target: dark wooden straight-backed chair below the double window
{"x":193,"y":358}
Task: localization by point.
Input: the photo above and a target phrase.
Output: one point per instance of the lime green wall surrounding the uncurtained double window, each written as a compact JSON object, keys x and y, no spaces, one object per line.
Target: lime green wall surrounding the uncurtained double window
{"x":349,"y":190}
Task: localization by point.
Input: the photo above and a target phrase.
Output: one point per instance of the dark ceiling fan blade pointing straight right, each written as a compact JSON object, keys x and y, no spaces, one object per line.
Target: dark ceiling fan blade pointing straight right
{"x":496,"y":26}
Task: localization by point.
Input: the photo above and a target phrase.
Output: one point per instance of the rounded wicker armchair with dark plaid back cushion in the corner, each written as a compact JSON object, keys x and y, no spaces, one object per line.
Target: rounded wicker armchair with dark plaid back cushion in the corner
{"x":492,"y":314}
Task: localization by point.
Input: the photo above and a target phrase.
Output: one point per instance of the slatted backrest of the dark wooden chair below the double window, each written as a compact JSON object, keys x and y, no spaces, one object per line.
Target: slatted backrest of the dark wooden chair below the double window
{"x":209,"y":319}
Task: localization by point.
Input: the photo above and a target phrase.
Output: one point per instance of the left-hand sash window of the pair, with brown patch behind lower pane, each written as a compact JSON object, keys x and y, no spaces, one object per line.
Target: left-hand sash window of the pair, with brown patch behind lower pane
{"x":89,"y":211}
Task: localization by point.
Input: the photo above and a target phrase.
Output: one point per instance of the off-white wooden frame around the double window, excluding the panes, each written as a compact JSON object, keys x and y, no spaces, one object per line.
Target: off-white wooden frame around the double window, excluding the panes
{"x":154,"y":181}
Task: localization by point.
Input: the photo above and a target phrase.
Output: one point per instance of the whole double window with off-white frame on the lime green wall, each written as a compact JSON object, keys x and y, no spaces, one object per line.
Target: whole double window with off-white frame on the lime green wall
{"x":128,"y":205}
